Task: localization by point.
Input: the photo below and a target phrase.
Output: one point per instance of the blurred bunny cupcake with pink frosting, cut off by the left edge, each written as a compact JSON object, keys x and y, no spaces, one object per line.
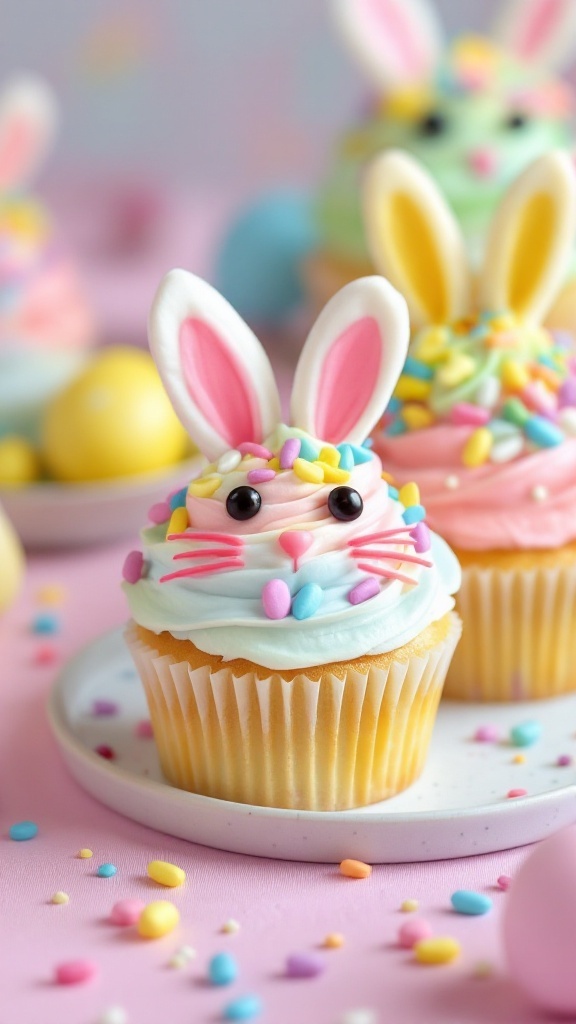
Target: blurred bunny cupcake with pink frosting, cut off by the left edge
{"x":46,"y":324}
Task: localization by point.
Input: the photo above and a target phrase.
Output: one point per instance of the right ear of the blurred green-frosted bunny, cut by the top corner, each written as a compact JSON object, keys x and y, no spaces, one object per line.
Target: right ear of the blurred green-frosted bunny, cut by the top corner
{"x":542,"y":32}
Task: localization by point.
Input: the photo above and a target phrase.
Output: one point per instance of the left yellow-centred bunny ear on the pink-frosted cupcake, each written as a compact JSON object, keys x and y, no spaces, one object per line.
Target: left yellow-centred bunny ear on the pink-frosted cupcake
{"x":415,"y":239}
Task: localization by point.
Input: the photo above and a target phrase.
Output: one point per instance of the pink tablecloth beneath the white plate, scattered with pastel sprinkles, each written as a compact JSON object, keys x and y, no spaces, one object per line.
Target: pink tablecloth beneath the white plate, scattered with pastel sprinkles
{"x":282,"y":908}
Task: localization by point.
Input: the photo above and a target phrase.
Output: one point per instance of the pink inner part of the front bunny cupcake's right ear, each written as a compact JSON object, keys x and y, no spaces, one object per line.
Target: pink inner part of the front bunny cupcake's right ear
{"x":348,"y":380}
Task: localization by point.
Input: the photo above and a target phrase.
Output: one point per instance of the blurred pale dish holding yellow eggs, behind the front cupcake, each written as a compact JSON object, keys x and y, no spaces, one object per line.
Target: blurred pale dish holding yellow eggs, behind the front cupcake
{"x":71,"y":516}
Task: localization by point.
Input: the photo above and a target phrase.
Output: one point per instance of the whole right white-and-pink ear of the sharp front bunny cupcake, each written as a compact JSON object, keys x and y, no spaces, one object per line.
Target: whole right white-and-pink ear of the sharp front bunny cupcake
{"x":351,"y":362}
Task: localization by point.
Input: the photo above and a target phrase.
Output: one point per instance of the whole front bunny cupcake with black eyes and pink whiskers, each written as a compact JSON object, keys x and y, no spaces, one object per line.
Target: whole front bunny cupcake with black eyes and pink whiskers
{"x":292,"y":613}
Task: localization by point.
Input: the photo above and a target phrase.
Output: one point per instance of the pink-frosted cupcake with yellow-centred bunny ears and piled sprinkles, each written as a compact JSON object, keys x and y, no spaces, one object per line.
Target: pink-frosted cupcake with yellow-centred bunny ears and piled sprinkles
{"x":485,"y":415}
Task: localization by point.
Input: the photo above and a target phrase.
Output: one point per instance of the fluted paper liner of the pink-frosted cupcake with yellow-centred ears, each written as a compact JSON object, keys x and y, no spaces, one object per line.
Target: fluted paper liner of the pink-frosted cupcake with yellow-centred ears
{"x":519,"y":641}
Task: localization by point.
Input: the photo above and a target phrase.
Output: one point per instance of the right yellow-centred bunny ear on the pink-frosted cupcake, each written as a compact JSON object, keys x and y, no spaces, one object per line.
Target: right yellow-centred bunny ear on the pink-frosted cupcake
{"x":531,"y":239}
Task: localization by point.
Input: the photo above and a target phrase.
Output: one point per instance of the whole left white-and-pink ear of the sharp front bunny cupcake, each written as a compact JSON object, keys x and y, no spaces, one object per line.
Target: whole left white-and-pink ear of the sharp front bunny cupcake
{"x":214,"y":368}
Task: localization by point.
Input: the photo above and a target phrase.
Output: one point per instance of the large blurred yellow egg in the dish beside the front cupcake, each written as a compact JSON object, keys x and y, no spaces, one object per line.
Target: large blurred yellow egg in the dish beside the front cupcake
{"x":113,"y":420}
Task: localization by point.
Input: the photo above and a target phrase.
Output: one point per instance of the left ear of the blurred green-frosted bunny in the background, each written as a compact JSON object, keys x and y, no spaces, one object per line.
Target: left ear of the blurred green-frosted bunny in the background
{"x":398,"y":42}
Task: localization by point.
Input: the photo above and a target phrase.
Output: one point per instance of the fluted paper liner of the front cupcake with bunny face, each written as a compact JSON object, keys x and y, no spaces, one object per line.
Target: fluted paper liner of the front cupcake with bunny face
{"x":332,"y":745}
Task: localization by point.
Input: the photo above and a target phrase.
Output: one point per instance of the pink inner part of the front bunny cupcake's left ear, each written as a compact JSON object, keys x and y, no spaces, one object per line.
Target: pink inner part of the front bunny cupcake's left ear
{"x":219,"y":385}
